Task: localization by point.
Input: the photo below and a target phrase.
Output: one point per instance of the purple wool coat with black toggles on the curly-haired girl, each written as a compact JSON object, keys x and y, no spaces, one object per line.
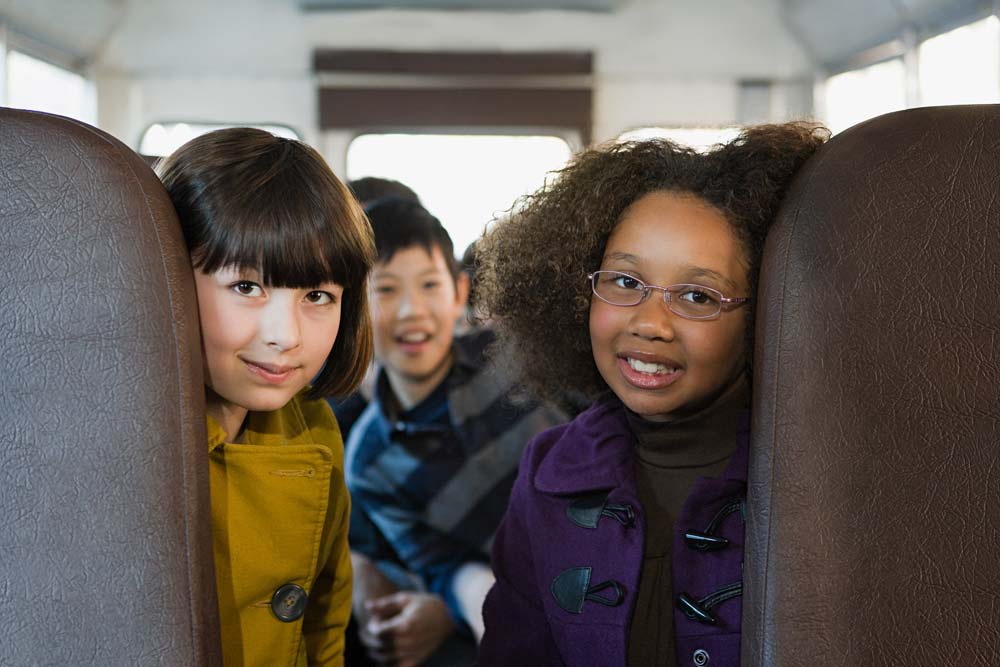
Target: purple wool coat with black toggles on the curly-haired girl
{"x":568,"y":554}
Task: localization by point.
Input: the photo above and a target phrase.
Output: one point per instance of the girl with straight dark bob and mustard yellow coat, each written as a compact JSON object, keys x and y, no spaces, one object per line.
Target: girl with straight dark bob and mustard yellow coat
{"x":281,"y":253}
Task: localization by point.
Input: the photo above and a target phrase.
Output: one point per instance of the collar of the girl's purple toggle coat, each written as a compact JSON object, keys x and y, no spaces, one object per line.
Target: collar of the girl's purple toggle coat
{"x":595,"y":452}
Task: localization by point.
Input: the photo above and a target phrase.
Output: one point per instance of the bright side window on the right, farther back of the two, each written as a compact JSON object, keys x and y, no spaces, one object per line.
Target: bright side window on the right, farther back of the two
{"x":864,"y":93}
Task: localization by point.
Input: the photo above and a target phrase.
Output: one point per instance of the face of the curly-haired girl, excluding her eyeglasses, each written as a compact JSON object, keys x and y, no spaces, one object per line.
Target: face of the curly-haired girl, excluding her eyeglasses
{"x":660,"y":364}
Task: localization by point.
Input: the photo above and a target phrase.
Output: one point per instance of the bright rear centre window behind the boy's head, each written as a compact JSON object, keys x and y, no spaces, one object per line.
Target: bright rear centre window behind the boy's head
{"x":464,"y":180}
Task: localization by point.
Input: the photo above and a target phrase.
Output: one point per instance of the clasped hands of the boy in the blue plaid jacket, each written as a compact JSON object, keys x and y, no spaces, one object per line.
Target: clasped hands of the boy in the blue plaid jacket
{"x":407,"y":627}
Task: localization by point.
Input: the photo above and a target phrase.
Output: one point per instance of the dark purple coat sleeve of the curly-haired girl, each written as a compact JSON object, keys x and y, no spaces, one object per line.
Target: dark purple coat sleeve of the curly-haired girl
{"x":517,"y":629}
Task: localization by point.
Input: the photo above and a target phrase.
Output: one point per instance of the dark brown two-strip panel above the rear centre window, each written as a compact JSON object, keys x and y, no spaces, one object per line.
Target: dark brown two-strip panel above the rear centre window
{"x":438,"y":105}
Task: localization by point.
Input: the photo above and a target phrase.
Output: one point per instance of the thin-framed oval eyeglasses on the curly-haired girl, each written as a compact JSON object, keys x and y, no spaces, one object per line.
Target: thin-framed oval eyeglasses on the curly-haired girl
{"x":694,"y":302}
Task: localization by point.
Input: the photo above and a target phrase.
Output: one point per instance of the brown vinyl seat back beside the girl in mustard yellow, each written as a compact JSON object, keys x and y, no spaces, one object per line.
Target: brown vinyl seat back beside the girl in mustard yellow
{"x":105,"y":544}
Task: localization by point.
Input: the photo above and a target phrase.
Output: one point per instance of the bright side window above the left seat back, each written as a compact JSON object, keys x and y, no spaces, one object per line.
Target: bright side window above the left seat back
{"x":39,"y":86}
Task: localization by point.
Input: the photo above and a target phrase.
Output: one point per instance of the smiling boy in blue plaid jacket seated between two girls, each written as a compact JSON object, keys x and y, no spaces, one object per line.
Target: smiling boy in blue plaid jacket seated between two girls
{"x":431,"y":461}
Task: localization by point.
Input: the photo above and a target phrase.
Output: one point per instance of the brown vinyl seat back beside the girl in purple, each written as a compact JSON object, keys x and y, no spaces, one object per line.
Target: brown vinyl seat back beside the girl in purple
{"x":874,"y":516}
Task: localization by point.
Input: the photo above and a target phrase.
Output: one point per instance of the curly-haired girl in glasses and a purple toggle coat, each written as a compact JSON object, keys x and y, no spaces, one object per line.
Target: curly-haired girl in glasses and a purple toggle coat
{"x":630,"y":278}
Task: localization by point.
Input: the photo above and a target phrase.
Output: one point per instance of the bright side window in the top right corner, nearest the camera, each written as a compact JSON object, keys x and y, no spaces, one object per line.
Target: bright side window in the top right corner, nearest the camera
{"x":962,"y":66}
